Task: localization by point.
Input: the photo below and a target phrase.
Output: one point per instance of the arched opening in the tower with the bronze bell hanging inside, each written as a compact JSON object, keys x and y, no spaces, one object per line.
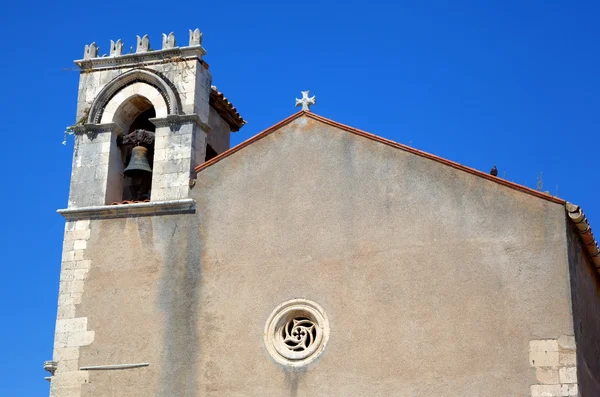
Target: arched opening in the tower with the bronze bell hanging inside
{"x":136,"y":147}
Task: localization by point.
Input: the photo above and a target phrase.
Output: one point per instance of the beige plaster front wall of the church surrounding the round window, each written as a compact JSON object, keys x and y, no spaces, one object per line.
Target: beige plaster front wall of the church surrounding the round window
{"x":434,"y":280}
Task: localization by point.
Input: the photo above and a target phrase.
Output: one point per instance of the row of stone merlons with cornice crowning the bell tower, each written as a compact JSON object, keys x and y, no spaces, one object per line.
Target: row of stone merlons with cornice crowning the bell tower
{"x":143,"y":52}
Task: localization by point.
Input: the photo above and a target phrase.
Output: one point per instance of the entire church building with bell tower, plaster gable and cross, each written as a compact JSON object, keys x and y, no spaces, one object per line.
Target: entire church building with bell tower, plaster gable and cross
{"x":312,"y":260}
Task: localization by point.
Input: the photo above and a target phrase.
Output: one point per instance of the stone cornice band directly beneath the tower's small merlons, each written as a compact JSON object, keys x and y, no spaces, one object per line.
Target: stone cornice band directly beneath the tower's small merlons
{"x":148,"y":57}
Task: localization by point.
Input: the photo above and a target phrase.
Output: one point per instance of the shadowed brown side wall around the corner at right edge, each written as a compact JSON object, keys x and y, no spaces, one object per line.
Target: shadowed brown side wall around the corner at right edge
{"x":585,"y":288}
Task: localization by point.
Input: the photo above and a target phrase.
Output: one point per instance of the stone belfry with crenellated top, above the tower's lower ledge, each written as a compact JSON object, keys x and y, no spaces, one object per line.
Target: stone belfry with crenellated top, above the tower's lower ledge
{"x":167,"y":91}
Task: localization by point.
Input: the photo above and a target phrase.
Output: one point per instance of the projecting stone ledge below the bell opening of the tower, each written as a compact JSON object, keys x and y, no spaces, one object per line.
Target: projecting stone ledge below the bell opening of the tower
{"x":183,"y":206}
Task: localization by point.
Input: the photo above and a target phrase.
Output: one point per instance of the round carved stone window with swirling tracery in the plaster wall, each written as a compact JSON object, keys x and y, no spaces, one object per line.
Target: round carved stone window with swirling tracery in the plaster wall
{"x":296,"y":332}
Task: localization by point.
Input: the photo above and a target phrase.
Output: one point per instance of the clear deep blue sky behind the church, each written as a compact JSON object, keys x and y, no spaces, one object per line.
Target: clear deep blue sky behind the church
{"x":514,"y":83}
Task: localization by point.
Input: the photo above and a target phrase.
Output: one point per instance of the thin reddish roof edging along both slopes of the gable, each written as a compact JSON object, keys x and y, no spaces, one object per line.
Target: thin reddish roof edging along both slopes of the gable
{"x":384,"y":141}
